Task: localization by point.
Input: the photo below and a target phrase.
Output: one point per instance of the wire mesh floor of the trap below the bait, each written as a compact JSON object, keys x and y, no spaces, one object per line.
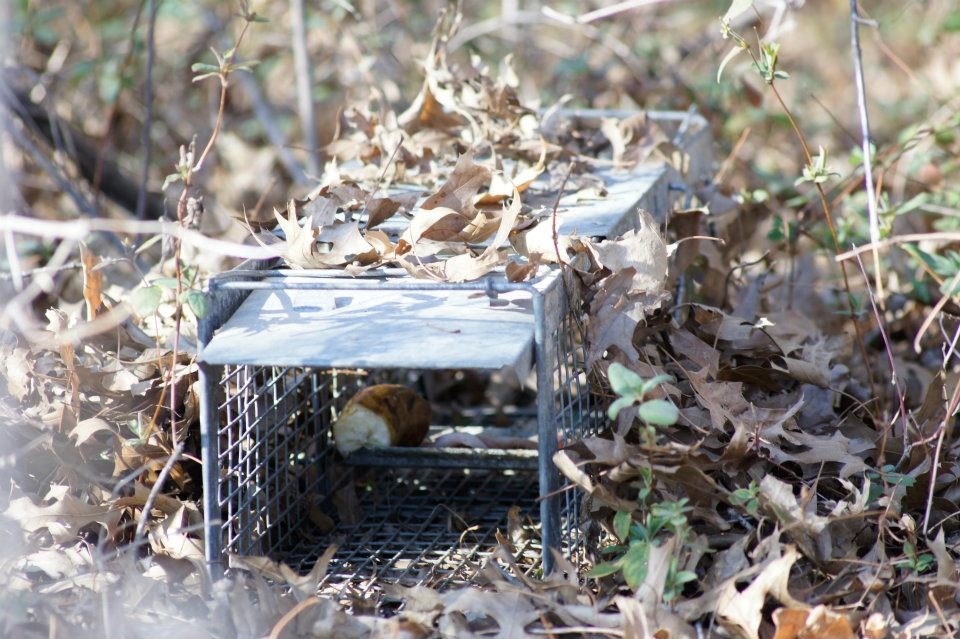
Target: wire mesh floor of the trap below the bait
{"x":430,"y":527}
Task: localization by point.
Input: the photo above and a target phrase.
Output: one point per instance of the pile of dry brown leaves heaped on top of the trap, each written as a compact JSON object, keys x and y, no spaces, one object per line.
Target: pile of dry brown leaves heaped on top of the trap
{"x":455,"y":176}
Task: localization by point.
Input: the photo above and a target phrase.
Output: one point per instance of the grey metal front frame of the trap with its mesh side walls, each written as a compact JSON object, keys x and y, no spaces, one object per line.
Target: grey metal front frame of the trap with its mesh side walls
{"x":265,"y":477}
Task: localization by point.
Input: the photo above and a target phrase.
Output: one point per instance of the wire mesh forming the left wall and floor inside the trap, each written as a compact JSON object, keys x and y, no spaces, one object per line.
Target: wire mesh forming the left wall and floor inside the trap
{"x":419,"y":526}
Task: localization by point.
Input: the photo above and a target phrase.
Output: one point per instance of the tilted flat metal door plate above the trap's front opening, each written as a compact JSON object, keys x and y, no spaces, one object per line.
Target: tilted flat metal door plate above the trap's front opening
{"x":444,"y":327}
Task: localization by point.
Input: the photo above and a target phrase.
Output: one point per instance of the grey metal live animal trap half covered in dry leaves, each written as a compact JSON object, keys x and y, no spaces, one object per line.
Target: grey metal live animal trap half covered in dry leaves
{"x":282,"y":351}
